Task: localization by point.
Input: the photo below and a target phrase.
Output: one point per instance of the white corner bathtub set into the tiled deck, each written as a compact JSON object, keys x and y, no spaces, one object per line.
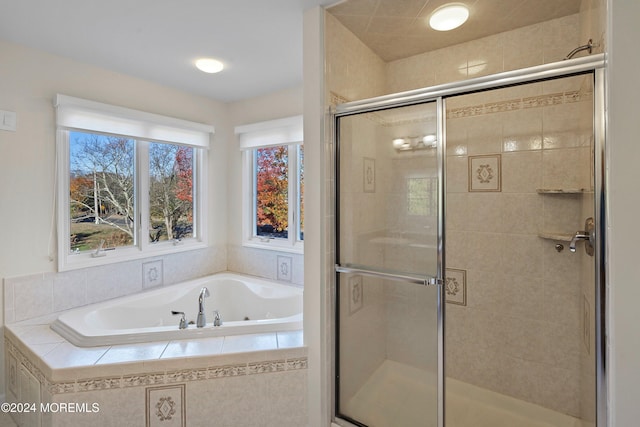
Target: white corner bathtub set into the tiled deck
{"x":246,"y":305}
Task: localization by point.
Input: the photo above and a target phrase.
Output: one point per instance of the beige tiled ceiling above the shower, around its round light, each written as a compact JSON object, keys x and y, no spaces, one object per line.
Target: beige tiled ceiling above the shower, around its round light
{"x":396,"y":29}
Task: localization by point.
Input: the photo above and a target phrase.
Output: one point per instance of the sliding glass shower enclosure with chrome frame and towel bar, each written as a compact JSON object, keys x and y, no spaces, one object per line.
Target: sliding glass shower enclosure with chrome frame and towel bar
{"x":523,"y":153}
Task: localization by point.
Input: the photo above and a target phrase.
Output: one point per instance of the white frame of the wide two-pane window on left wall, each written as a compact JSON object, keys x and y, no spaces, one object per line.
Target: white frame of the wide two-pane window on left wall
{"x":142,"y":247}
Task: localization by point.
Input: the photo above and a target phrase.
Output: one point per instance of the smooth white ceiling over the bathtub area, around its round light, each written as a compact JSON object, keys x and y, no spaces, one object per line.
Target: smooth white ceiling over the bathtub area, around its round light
{"x":259,"y":41}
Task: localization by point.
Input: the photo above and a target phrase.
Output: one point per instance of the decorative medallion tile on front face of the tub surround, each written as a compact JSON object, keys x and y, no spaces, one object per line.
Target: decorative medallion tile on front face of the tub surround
{"x":165,"y":406}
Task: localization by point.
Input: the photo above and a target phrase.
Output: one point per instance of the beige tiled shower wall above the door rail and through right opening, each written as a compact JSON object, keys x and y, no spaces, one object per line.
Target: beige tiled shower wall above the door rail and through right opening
{"x":541,"y":277}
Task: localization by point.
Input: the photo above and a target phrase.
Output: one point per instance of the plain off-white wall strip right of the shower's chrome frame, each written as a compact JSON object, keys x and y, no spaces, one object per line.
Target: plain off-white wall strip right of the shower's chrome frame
{"x":624,"y":197}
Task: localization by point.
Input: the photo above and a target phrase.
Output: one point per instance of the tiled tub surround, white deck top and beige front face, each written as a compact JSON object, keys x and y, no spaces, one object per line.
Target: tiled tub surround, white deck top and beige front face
{"x":165,"y":384}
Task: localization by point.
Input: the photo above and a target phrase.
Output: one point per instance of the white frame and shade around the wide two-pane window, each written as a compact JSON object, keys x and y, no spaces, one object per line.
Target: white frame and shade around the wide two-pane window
{"x":77,"y":114}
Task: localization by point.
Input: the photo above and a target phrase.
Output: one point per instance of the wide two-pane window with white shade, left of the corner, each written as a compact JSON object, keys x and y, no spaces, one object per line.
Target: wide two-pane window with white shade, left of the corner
{"x":130,"y":183}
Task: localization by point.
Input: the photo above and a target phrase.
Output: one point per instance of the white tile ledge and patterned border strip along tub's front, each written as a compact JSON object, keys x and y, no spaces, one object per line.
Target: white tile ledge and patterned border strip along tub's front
{"x":65,"y":365}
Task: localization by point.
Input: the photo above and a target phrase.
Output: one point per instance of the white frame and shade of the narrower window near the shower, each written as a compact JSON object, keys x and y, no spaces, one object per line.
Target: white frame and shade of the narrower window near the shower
{"x":287,"y":131}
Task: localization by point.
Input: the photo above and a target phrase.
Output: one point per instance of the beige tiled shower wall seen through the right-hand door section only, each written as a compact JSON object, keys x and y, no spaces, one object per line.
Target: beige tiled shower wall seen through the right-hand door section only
{"x":521,"y":331}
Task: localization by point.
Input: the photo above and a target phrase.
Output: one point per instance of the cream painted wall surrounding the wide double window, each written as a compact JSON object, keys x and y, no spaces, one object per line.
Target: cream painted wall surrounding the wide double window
{"x":29,"y":79}
